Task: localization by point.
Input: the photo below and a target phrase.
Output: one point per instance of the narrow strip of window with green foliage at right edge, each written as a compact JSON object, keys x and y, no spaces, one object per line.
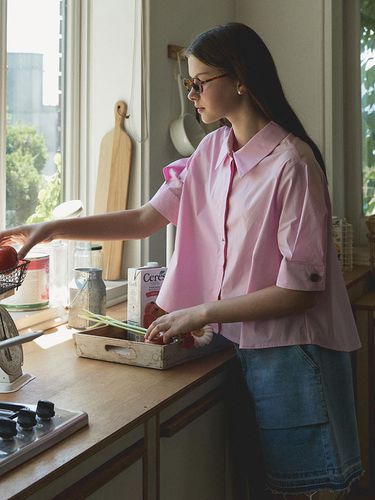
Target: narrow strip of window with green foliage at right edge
{"x":368,"y":105}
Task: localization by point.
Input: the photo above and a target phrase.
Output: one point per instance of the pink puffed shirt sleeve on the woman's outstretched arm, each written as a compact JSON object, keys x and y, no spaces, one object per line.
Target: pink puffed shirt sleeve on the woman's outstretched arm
{"x":167,"y":199}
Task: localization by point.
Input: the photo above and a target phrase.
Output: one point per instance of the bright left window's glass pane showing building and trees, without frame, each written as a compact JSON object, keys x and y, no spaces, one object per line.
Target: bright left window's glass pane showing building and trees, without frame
{"x":35,"y":75}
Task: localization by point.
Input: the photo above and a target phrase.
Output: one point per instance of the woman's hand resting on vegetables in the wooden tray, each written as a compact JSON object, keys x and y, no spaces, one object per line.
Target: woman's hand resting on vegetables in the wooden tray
{"x":176,"y":323}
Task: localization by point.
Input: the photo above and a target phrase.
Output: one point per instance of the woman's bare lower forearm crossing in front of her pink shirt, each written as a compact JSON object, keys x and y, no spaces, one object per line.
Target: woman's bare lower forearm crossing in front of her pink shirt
{"x":271,"y":302}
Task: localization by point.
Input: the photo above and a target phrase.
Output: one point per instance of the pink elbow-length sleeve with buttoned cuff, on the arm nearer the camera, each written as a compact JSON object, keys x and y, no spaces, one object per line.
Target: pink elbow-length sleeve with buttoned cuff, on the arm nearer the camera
{"x":302,"y":232}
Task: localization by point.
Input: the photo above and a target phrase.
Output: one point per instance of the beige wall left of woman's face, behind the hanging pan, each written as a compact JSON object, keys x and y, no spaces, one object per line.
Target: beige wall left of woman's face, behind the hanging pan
{"x":178,"y":24}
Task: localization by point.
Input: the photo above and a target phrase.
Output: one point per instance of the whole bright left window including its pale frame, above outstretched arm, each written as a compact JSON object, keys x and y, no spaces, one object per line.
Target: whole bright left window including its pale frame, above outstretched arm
{"x":40,"y":83}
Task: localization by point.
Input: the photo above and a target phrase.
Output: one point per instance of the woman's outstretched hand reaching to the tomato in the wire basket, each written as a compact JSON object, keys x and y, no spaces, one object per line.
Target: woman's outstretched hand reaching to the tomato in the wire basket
{"x":27,"y":235}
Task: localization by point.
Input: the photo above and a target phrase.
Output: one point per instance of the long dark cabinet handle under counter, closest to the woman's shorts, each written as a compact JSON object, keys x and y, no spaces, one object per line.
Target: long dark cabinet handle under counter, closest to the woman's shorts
{"x":187,"y":415}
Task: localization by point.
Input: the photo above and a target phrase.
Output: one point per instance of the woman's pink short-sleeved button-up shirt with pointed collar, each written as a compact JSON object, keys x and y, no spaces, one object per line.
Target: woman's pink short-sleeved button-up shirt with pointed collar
{"x":250,"y":219}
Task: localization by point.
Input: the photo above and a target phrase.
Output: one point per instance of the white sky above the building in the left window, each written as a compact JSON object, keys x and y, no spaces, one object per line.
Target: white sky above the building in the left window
{"x":33,"y":26}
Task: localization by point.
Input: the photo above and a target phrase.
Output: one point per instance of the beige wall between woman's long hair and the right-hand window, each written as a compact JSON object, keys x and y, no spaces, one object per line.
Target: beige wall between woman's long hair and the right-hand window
{"x":305,"y":40}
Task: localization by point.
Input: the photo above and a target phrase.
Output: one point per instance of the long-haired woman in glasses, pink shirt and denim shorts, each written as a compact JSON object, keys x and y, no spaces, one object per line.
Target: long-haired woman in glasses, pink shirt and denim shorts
{"x":253,"y":256}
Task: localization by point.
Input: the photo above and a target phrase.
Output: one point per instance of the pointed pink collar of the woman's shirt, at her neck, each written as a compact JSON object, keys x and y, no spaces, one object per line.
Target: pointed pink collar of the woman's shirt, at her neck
{"x":257,"y":148}
